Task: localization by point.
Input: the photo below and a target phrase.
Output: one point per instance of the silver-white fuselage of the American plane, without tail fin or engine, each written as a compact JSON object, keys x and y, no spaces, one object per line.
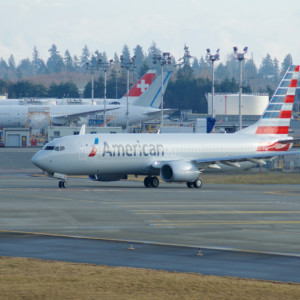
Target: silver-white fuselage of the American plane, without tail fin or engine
{"x":139,"y":153}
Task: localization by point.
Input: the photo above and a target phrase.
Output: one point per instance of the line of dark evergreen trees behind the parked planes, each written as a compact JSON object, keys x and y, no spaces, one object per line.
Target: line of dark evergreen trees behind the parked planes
{"x":190,"y":81}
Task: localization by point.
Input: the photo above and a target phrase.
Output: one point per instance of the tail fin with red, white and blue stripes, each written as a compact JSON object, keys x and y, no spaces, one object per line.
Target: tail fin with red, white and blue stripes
{"x":276,"y":118}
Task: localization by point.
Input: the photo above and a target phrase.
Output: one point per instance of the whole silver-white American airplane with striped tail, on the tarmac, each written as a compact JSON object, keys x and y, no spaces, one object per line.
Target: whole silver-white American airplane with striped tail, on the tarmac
{"x":176,"y":158}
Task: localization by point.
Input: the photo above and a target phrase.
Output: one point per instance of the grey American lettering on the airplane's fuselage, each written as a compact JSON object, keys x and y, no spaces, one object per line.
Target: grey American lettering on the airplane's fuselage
{"x":133,"y":149}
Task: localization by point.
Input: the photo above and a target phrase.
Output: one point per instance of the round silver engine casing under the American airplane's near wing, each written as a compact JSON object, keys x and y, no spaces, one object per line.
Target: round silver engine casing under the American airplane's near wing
{"x":179,"y":171}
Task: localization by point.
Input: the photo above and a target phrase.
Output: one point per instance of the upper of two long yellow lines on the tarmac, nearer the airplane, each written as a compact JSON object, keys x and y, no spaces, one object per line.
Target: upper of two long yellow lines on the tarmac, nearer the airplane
{"x":210,"y":212}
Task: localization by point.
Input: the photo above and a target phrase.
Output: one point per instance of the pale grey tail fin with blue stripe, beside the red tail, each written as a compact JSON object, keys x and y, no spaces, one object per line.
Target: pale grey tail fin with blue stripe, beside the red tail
{"x":152,"y":98}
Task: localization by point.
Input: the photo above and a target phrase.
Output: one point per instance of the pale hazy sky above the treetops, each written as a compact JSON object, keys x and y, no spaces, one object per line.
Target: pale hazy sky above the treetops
{"x":264,"y":26}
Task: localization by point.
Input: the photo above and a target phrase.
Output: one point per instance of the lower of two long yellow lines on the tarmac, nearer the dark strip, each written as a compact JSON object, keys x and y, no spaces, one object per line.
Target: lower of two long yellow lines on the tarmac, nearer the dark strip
{"x":212,"y":223}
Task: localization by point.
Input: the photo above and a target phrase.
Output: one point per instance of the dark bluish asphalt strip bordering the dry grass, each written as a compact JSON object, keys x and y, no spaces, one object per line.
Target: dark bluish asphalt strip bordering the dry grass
{"x":159,"y":257}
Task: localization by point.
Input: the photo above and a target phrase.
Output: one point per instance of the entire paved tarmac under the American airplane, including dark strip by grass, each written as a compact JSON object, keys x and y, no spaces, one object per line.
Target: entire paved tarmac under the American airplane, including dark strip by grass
{"x":248,"y":231}
